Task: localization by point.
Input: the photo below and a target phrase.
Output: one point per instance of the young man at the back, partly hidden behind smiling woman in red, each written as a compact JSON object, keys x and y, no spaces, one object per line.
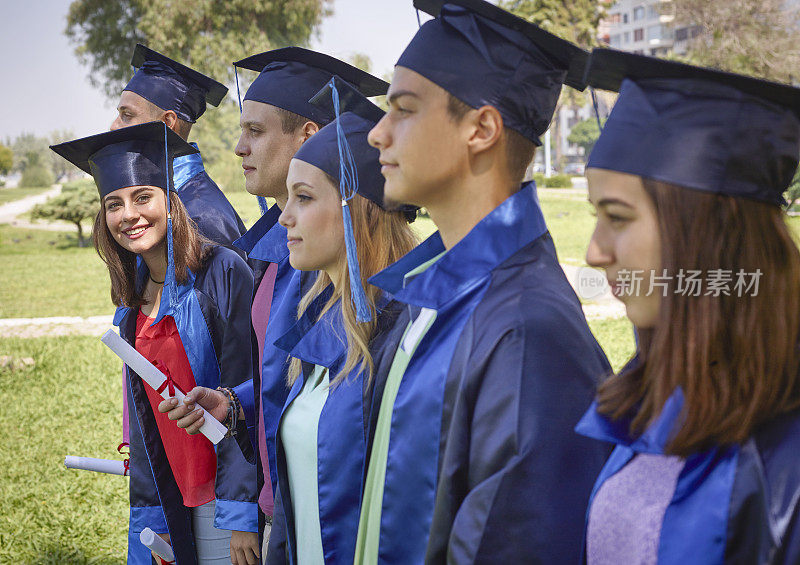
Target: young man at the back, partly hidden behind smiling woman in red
{"x":164,"y":90}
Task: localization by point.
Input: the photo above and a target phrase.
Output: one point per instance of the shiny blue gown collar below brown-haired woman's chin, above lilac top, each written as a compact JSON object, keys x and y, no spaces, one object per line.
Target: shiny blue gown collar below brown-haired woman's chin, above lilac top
{"x":653,"y":440}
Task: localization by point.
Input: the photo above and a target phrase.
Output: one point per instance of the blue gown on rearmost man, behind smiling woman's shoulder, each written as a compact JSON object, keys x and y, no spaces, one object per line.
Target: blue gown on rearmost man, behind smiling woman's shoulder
{"x":204,"y":201}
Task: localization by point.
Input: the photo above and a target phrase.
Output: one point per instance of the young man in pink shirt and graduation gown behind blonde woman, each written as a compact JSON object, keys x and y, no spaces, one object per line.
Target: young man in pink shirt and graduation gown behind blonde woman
{"x":277,"y":118}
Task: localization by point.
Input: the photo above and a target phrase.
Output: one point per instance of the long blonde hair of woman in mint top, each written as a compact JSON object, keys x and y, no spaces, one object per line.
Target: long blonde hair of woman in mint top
{"x":381,"y":239}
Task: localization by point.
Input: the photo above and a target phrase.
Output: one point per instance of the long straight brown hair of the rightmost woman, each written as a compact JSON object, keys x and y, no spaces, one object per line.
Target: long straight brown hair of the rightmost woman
{"x":735,"y":358}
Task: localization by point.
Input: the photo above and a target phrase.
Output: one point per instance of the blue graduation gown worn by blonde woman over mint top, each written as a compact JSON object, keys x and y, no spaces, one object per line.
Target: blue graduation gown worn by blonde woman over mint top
{"x":341,"y":434}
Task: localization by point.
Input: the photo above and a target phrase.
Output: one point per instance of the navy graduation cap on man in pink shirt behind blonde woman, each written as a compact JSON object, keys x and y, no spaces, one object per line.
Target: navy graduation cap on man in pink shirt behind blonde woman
{"x":290,"y":76}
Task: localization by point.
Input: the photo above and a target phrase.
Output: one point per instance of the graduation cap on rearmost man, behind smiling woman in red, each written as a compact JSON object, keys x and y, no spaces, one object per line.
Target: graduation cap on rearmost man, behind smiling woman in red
{"x":173,"y":86}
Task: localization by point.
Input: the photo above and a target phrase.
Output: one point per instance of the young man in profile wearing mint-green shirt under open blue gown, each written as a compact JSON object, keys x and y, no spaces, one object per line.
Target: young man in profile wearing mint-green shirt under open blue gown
{"x":473,"y":456}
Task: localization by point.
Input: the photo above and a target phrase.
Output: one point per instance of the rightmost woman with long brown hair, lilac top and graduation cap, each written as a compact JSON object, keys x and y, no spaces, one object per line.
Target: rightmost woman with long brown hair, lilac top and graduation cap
{"x":687,"y":180}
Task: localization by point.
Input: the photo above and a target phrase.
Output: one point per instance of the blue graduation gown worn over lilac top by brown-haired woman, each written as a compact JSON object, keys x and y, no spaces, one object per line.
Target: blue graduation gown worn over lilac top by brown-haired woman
{"x":736,"y":504}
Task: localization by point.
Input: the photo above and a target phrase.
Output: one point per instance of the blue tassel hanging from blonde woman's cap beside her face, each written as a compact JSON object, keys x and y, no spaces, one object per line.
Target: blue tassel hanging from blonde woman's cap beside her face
{"x":348,"y":187}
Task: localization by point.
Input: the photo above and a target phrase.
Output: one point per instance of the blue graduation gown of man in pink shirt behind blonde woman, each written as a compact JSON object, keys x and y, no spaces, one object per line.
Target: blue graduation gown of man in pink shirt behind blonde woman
{"x":265,"y":243}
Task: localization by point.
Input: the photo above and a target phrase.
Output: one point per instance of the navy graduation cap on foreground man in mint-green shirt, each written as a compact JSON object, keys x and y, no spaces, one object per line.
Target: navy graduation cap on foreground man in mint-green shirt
{"x":484,"y":55}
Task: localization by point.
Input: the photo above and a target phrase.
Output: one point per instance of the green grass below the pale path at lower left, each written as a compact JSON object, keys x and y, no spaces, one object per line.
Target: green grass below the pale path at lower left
{"x":68,"y":404}
